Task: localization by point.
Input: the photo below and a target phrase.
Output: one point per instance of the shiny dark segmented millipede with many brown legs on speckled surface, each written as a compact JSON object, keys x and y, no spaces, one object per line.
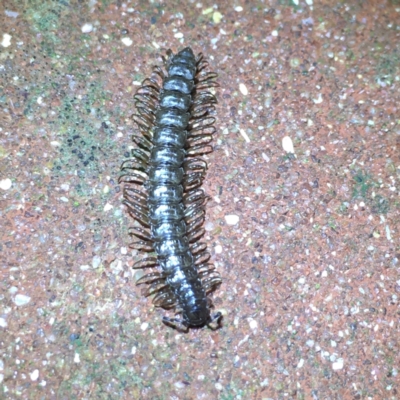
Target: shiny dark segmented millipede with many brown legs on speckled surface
{"x":162,"y":188}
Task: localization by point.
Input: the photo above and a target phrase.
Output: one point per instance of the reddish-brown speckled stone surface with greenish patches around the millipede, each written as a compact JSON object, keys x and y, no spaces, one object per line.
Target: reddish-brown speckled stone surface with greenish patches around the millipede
{"x":311,"y":267}
